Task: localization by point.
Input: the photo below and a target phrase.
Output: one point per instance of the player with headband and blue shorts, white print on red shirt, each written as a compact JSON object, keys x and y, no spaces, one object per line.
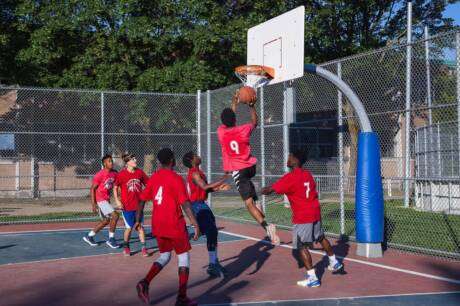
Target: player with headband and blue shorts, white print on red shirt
{"x":128,"y":187}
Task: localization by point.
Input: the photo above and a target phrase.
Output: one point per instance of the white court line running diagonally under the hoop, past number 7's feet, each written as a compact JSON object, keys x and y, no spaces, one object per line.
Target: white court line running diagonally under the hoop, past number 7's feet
{"x":445,"y":279}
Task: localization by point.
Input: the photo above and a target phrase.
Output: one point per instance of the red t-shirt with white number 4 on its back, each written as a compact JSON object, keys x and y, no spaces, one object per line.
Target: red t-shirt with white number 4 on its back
{"x":166,"y":189}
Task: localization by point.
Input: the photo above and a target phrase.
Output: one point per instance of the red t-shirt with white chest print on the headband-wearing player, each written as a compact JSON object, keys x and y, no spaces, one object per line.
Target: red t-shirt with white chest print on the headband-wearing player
{"x":131,"y":185}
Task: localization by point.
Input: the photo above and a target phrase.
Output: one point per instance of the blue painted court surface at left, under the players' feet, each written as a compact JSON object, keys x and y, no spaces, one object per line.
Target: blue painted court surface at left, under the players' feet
{"x":48,"y":245}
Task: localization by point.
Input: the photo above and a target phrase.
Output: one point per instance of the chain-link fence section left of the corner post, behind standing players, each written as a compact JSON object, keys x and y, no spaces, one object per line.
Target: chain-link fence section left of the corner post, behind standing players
{"x":51,"y":143}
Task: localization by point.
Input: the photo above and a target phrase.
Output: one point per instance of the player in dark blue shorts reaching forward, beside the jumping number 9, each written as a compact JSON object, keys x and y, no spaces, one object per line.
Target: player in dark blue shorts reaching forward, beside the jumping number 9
{"x":198,"y":189}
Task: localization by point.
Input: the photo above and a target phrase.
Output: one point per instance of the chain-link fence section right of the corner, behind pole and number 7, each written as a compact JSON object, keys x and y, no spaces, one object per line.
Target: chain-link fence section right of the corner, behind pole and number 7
{"x":422,"y":200}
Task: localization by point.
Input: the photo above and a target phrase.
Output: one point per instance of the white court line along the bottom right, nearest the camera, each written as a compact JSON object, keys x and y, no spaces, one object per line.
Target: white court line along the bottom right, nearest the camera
{"x":336,"y":298}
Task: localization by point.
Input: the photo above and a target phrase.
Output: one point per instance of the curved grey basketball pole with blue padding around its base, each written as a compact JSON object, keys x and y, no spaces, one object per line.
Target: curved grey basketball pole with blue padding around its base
{"x":369,"y":217}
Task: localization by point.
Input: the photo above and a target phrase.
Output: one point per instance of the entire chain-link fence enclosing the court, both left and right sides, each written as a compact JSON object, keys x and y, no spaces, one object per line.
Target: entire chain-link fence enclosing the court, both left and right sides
{"x":51,"y":142}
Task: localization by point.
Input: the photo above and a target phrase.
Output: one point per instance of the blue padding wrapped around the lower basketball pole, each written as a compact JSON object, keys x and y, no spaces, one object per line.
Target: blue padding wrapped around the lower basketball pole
{"x":369,"y":194}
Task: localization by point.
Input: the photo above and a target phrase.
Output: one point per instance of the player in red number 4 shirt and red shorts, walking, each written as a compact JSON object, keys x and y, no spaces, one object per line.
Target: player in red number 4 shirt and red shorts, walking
{"x":167,"y":191}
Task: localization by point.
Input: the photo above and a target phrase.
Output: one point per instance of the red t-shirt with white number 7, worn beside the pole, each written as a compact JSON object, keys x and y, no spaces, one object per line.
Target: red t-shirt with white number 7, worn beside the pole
{"x":300,"y":188}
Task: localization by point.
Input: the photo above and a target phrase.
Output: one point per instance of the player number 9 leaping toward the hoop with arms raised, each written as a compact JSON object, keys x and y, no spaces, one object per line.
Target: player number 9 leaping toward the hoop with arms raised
{"x":237,"y":159}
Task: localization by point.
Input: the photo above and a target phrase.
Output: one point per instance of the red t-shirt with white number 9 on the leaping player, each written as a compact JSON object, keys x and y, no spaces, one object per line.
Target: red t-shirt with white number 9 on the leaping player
{"x":236,"y":149}
